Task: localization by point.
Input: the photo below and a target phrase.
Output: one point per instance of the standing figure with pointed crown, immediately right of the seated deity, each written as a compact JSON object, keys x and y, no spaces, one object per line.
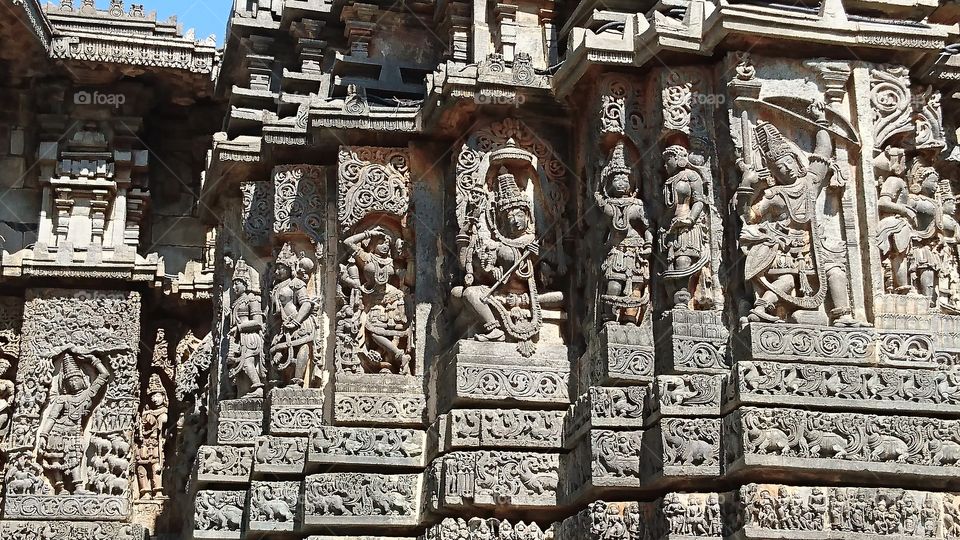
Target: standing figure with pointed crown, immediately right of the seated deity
{"x":626,"y":265}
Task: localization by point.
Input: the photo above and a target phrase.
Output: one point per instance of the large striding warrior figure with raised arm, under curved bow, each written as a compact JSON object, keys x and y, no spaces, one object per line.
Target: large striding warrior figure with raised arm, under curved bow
{"x":792,"y":265}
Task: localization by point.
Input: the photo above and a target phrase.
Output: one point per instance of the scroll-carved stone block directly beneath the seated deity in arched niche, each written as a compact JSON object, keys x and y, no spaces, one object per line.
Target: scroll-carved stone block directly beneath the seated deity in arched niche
{"x":495,"y":374}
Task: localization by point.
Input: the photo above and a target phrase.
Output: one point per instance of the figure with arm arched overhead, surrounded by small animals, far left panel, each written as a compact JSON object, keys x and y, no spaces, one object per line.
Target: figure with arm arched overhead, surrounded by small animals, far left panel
{"x":60,"y":446}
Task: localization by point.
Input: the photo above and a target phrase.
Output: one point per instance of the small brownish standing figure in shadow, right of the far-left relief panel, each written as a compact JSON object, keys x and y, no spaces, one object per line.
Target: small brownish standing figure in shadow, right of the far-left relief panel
{"x":151,"y":436}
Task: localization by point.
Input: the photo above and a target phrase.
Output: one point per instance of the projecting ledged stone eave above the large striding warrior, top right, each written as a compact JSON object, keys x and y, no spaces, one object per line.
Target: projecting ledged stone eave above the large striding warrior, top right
{"x":808,"y":27}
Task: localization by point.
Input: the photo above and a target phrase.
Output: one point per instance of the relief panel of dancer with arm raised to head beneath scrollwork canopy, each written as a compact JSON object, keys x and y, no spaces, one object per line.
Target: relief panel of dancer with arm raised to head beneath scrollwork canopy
{"x":374,"y":327}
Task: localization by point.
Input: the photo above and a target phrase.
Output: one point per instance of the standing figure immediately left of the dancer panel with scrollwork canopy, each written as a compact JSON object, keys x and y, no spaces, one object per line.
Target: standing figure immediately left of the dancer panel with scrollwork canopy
{"x":293,"y":308}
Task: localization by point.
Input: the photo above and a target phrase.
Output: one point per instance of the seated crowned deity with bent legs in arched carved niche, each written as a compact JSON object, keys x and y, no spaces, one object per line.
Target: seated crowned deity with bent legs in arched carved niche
{"x":510,"y":195}
